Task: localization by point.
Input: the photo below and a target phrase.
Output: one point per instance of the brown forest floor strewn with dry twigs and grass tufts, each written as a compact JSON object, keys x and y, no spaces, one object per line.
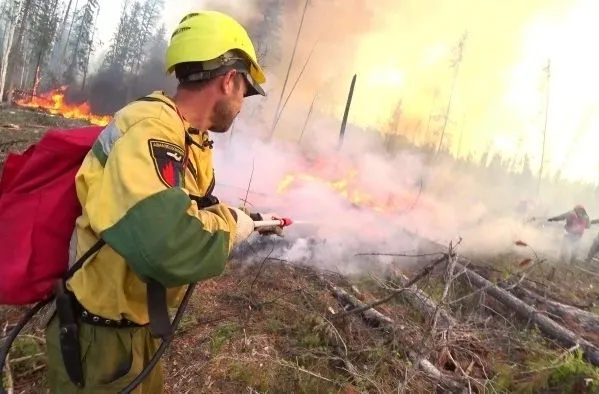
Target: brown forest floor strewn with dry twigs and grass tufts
{"x":274,"y":327}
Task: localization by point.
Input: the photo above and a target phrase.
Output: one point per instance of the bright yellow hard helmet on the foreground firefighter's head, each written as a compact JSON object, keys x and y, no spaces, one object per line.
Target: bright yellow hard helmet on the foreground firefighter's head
{"x":207,"y":36}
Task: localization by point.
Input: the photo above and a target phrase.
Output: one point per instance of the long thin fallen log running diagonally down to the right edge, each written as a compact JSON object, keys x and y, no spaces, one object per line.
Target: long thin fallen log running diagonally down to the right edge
{"x":548,"y":326}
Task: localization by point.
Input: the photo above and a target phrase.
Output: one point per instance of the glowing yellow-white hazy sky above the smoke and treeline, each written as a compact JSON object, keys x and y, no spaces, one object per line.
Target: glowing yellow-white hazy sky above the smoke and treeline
{"x":402,"y":50}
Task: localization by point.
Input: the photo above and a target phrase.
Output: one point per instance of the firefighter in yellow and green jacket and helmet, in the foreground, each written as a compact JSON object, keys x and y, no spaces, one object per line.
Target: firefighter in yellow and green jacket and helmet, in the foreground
{"x":145,"y":190}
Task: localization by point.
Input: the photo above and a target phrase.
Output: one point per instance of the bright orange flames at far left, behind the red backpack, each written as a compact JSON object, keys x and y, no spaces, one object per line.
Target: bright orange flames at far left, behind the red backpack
{"x":53,"y":102}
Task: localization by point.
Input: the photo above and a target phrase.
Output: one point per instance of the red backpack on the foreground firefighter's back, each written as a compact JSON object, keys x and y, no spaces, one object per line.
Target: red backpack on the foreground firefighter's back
{"x":38,"y":209}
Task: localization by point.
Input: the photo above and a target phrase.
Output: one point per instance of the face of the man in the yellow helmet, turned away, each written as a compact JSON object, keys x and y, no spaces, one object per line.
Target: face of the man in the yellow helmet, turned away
{"x":229,"y":105}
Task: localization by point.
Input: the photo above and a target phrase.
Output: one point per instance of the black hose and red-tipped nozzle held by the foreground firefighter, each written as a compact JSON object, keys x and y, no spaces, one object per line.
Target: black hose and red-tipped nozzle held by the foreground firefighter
{"x":5,"y":348}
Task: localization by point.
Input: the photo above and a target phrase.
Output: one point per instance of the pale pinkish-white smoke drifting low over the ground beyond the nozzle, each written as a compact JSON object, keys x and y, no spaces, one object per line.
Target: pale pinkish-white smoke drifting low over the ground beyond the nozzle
{"x":330,"y":230}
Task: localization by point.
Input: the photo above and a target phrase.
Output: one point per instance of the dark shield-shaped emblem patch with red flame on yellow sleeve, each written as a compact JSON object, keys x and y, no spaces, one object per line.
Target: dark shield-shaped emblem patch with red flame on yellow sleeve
{"x":168,"y":162}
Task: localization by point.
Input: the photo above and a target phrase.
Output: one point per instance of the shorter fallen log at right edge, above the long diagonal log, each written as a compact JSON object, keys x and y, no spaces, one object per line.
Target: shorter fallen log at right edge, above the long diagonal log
{"x":586,"y":320}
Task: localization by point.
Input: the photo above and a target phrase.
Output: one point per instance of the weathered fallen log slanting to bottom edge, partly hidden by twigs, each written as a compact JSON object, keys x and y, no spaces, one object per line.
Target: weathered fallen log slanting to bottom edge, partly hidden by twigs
{"x":375,"y":317}
